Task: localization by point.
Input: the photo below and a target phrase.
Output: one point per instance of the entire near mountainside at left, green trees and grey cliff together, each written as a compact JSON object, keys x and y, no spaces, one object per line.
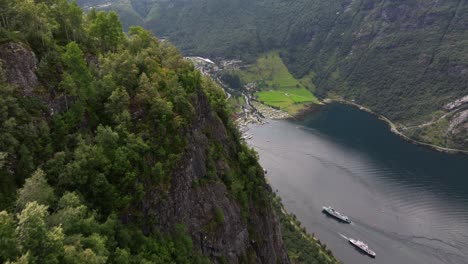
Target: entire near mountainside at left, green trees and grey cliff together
{"x":114,"y":149}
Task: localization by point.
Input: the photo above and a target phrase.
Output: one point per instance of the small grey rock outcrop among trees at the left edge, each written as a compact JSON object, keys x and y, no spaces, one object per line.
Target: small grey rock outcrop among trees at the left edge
{"x":19,"y":63}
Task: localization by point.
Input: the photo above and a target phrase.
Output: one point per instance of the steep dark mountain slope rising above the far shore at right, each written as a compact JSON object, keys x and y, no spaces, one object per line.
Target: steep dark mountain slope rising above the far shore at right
{"x":403,"y":59}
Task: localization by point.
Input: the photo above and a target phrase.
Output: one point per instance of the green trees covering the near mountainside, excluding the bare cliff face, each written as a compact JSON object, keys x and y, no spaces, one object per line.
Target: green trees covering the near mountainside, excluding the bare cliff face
{"x":83,"y":137}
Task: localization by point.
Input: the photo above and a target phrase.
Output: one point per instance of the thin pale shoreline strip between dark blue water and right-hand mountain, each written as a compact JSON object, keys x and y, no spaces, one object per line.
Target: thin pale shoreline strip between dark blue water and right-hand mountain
{"x":394,"y":129}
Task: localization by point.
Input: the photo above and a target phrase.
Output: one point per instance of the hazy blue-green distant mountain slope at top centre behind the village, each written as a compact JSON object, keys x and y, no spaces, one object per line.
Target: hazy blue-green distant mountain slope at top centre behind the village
{"x":224,"y":28}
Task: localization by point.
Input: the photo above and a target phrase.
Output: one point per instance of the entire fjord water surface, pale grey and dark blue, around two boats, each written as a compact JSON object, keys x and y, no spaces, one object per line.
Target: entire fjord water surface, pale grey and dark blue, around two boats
{"x":409,"y":203}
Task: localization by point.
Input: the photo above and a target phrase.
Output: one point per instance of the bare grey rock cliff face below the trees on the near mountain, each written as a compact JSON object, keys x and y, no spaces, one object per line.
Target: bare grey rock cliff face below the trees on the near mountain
{"x":196,"y":207}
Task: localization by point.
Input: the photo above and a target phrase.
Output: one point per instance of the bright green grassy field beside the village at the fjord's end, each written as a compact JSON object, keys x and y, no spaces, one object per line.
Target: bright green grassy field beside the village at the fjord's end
{"x":278,"y":87}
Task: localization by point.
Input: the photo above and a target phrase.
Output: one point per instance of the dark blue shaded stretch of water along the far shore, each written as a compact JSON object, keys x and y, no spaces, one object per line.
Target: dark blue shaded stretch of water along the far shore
{"x":445,"y":173}
